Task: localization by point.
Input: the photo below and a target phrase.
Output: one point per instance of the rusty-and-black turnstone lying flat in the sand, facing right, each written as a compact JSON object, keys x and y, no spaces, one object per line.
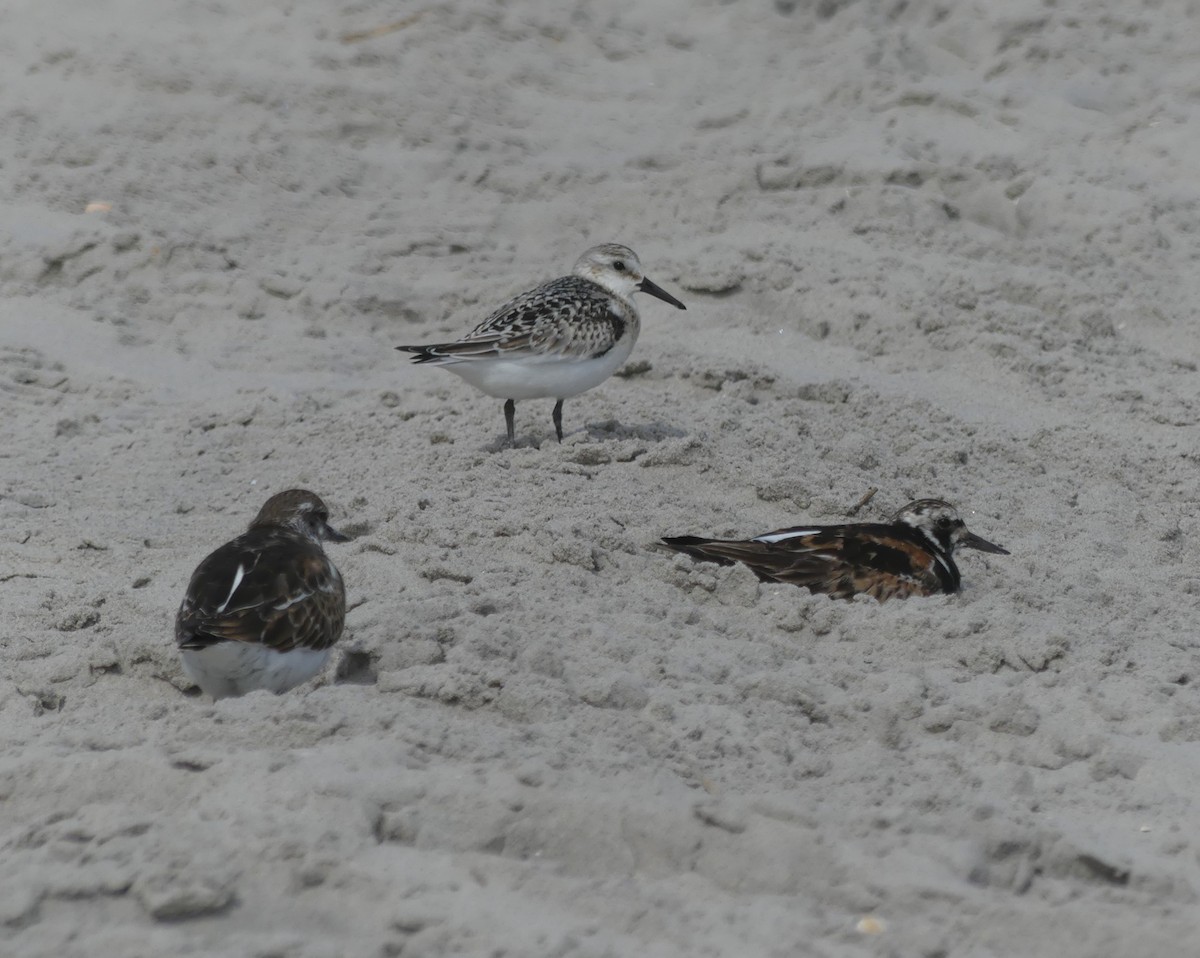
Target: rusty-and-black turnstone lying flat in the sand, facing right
{"x":913,"y":555}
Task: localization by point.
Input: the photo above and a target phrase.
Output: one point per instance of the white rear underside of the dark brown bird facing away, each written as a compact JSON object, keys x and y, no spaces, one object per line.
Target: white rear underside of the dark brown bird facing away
{"x":231,"y":668}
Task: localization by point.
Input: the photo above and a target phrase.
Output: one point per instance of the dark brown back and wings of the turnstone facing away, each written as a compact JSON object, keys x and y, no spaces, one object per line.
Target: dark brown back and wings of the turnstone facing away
{"x":290,"y":596}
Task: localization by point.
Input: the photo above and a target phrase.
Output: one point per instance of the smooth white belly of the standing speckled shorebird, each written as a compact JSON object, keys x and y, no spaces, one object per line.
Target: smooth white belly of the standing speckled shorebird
{"x":542,"y":378}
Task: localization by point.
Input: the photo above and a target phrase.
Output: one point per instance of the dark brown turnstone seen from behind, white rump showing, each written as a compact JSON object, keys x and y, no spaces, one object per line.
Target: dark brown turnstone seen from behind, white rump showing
{"x":265,"y":610}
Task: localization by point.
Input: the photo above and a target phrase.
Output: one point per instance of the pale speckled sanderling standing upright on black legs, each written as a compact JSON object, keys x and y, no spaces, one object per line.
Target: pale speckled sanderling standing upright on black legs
{"x":555,"y":342}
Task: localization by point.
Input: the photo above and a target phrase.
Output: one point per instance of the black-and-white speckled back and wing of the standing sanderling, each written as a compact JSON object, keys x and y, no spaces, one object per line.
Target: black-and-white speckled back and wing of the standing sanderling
{"x":572,"y":319}
